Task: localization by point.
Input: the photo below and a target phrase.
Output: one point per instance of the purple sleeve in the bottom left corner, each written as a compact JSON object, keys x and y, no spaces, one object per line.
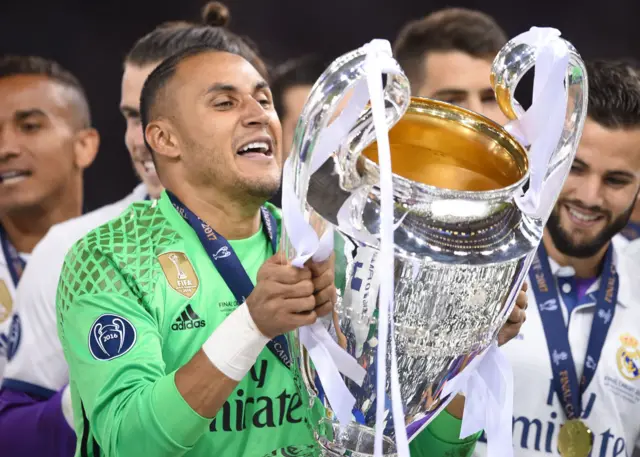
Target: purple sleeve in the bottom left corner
{"x":32,"y":427}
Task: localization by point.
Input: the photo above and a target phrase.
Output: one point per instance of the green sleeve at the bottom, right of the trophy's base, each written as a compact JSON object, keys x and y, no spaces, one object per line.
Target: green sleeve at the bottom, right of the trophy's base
{"x":441,"y":438}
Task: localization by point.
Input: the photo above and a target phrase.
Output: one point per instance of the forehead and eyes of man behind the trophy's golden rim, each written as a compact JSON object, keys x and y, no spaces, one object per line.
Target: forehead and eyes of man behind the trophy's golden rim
{"x":461,"y":79}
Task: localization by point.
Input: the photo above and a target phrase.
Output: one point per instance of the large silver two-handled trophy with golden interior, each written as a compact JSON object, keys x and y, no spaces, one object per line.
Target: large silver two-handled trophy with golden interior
{"x":462,"y":245}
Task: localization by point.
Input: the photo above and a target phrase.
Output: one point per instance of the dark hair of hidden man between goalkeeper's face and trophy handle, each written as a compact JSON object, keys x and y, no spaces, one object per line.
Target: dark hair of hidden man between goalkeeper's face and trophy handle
{"x":303,"y":71}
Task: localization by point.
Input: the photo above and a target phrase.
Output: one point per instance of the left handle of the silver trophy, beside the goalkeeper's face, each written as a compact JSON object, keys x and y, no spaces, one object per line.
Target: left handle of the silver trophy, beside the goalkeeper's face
{"x":318,"y":135}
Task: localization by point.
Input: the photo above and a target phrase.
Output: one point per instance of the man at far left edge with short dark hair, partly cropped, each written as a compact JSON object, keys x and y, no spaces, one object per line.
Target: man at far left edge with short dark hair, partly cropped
{"x":46,"y":141}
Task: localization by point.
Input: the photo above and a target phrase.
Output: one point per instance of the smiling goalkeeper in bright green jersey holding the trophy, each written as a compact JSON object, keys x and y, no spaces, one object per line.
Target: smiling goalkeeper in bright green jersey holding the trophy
{"x":182,"y":355}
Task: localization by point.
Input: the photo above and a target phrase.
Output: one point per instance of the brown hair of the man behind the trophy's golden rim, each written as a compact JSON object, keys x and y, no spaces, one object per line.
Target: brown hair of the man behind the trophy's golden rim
{"x":451,"y":29}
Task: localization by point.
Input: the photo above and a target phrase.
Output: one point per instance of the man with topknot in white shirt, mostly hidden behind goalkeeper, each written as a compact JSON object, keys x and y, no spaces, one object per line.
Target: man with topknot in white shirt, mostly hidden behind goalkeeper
{"x":35,"y":407}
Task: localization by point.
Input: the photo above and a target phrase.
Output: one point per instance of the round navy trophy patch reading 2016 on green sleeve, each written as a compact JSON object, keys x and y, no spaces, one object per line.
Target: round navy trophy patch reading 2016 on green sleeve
{"x":111,"y":336}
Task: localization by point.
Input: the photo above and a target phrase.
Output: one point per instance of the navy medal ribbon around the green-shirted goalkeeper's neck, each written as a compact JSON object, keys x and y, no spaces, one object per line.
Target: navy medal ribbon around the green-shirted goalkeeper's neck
{"x":226,"y":261}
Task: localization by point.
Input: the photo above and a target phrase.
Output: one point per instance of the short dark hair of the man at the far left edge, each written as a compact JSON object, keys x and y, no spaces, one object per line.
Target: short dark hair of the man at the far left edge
{"x":13,"y":65}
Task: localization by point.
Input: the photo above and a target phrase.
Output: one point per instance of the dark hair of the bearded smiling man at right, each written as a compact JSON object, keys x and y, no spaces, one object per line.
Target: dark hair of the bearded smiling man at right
{"x":614,"y":93}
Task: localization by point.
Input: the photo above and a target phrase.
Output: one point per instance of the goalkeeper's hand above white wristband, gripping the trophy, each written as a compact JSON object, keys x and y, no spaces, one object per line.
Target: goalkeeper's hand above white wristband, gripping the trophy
{"x":283,"y":298}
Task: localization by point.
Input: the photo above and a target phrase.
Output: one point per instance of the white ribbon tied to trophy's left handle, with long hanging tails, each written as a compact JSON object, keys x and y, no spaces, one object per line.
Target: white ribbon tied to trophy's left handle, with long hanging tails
{"x":305,"y":241}
